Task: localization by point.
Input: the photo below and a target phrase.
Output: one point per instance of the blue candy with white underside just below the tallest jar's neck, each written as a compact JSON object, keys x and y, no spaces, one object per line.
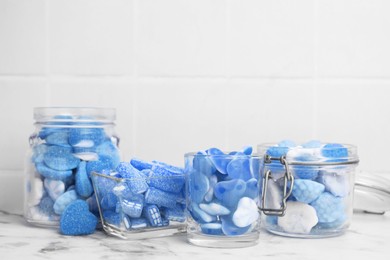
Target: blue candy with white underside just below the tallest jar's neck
{"x":86,"y":137}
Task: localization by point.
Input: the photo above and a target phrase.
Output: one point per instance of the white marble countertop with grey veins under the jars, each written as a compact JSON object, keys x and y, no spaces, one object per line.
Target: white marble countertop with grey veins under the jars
{"x":367,"y":238}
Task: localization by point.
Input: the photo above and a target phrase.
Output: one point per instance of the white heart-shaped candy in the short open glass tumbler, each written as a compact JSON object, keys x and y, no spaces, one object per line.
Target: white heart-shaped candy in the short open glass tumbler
{"x":246,"y":213}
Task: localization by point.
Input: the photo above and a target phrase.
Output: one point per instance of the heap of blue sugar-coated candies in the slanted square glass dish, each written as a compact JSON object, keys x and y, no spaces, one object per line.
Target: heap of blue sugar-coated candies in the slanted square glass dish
{"x":140,"y":195}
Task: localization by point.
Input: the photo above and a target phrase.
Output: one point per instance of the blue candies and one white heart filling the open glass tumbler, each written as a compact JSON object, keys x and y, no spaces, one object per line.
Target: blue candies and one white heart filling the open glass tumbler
{"x":223,"y":192}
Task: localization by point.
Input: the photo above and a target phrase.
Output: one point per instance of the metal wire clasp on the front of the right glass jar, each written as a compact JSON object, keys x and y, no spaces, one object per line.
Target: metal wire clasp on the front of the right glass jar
{"x":287,"y":187}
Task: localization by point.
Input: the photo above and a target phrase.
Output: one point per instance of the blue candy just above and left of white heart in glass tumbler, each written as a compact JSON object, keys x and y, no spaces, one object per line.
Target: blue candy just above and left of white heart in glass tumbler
{"x":230,"y":192}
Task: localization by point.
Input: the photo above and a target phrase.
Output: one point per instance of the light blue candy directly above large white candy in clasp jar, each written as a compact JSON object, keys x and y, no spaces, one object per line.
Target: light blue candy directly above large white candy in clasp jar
{"x":306,"y":190}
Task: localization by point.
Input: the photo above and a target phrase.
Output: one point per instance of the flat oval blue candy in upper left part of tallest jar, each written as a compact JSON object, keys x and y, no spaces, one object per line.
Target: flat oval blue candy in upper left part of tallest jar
{"x":60,"y":158}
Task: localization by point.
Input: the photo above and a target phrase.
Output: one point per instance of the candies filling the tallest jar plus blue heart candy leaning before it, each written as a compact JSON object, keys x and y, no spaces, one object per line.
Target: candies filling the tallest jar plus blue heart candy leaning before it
{"x":63,"y":158}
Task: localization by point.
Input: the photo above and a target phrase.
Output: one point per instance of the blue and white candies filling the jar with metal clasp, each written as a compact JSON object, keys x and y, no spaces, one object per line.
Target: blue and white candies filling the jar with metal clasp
{"x":321,"y":194}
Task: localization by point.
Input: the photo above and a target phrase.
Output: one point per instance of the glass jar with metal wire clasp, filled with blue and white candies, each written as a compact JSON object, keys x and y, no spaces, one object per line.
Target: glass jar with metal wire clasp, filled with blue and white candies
{"x":307,"y":191}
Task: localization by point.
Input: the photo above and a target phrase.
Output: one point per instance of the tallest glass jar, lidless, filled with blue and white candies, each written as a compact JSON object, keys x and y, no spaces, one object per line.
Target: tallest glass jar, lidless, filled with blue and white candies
{"x":67,"y":145}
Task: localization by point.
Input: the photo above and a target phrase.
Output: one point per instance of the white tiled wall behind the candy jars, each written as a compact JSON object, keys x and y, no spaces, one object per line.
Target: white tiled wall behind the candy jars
{"x":186,"y":75}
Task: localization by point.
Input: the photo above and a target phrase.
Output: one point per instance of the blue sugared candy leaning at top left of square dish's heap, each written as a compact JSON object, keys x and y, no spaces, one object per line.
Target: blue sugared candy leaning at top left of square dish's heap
{"x":134,"y":179}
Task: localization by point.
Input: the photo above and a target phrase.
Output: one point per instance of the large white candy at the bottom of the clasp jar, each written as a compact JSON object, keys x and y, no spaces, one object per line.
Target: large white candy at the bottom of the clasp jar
{"x":300,"y":218}
